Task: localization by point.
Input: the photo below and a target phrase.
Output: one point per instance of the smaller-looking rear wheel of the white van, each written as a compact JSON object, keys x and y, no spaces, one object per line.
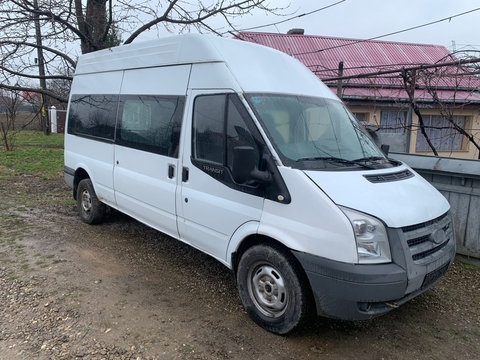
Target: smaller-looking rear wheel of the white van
{"x":91,"y":209}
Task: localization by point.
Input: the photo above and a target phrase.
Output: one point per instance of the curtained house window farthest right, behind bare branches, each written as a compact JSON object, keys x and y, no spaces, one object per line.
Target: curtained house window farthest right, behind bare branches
{"x":441,"y":133}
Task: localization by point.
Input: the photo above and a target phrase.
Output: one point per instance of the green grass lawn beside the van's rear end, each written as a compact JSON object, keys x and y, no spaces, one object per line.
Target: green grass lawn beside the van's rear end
{"x":34,"y":154}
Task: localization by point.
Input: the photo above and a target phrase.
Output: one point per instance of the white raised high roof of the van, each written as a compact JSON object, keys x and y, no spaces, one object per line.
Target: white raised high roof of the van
{"x":255,"y":68}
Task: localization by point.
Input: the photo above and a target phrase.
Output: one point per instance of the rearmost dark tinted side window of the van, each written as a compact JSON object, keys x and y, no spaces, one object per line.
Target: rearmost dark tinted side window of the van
{"x":93,"y":115}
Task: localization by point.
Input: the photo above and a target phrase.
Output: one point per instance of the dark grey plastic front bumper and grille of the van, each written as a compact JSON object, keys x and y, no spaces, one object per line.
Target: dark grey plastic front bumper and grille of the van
{"x":358,"y":292}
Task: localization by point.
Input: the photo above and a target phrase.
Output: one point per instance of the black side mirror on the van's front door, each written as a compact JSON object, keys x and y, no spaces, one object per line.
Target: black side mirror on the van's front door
{"x":244,"y":166}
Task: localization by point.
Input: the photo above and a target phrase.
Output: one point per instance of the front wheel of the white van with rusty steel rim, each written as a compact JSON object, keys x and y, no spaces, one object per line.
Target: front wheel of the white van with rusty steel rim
{"x":272,"y":288}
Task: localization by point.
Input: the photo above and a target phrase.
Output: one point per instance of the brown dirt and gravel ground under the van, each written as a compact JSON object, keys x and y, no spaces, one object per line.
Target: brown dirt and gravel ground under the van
{"x":120,"y":290}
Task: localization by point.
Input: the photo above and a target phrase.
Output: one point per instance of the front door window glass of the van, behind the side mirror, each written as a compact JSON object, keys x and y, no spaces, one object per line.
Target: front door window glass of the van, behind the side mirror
{"x":219,"y":125}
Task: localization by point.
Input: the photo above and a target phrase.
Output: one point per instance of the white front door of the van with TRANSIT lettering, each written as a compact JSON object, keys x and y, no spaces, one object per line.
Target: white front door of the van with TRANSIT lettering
{"x":211,"y":206}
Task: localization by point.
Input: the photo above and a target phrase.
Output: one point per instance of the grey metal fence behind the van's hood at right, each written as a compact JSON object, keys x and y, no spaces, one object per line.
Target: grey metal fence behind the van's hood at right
{"x":459,"y":181}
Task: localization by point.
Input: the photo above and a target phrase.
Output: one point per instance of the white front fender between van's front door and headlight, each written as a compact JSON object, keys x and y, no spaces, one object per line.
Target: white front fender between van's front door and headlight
{"x":311,"y":223}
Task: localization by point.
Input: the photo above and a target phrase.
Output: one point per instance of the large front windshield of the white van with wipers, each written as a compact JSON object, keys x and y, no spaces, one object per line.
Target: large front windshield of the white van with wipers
{"x":315,"y":133}
